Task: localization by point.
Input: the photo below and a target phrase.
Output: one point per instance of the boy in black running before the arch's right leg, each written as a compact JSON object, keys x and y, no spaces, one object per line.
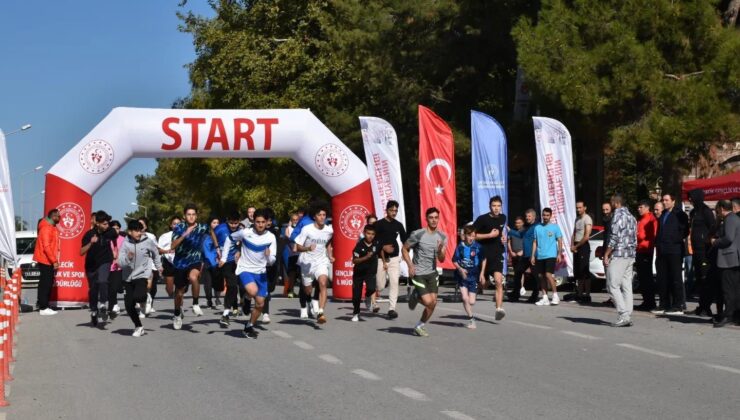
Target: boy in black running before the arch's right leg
{"x":365,"y":259}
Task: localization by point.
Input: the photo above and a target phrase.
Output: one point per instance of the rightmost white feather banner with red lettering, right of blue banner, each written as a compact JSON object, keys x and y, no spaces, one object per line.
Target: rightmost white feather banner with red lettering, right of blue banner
{"x":557,"y":187}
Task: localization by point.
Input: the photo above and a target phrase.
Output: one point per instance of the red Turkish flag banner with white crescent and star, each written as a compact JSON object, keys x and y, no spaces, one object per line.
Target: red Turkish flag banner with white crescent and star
{"x":437,"y":176}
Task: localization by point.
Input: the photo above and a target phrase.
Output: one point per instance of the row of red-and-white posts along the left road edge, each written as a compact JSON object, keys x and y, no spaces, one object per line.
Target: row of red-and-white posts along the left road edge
{"x":9,"y":309}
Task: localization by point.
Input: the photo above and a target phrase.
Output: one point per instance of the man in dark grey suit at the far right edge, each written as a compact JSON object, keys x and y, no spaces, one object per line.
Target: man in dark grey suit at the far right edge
{"x":728,"y":261}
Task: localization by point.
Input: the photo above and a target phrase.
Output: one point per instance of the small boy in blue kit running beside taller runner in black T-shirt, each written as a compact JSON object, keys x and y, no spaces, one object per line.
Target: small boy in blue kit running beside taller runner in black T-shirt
{"x":467,"y":261}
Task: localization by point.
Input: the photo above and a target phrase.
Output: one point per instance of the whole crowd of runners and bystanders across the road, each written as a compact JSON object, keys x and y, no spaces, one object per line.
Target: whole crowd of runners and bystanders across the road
{"x":240,"y":261}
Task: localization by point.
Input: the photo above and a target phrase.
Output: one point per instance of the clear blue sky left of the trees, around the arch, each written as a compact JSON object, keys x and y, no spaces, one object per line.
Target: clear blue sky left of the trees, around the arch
{"x":65,"y":65}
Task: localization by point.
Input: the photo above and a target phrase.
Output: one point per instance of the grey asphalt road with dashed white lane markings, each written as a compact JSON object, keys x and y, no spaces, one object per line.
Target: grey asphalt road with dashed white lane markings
{"x":561,"y":362}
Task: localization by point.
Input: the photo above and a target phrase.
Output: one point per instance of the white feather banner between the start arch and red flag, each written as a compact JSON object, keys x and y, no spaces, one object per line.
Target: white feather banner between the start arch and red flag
{"x":383,"y":164}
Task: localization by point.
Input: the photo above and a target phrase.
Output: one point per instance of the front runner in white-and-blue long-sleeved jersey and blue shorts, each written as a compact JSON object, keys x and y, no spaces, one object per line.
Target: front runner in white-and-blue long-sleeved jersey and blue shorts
{"x":258,"y":251}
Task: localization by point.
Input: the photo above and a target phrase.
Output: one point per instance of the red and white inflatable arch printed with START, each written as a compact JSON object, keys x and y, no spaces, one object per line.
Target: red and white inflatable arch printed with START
{"x":174,"y":133}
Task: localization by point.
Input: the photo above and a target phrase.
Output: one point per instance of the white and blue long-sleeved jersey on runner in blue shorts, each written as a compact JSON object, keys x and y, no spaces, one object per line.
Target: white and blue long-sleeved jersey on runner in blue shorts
{"x":253,"y":258}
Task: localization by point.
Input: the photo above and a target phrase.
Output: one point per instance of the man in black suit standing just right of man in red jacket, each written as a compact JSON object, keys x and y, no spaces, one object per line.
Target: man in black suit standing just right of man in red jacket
{"x":673,"y":228}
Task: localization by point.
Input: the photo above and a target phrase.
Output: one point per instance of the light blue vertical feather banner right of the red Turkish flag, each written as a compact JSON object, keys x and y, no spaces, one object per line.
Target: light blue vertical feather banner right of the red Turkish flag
{"x":490,"y":168}
